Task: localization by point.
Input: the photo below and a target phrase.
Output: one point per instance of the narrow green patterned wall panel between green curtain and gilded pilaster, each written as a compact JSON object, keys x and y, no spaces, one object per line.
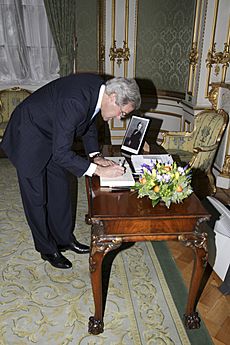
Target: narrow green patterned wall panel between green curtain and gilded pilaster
{"x":87,"y":40}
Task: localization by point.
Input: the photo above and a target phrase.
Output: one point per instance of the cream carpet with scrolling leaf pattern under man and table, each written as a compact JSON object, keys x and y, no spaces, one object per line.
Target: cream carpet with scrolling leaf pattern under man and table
{"x":43,"y":305}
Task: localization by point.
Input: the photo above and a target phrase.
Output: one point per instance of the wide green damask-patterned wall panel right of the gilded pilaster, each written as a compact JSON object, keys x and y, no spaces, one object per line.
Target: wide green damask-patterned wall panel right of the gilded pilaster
{"x":164,"y":38}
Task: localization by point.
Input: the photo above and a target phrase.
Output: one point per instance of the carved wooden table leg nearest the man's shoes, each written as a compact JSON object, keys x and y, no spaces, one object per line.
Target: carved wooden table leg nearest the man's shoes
{"x":100,"y":246}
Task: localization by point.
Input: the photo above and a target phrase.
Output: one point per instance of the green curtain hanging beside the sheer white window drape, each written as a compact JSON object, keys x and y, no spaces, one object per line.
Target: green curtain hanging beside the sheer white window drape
{"x":61,"y":17}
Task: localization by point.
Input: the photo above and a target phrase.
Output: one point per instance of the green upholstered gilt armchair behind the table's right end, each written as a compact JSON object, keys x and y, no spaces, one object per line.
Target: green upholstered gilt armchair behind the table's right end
{"x":198,"y":148}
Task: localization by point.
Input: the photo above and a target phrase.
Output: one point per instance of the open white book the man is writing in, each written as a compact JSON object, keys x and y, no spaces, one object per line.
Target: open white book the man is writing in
{"x":125,"y":180}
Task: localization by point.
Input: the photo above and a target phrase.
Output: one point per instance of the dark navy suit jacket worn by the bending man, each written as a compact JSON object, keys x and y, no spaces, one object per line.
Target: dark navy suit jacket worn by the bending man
{"x":44,"y":125}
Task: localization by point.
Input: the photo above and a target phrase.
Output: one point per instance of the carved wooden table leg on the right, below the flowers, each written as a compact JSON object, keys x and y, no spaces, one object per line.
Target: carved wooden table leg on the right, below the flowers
{"x":199,"y":245}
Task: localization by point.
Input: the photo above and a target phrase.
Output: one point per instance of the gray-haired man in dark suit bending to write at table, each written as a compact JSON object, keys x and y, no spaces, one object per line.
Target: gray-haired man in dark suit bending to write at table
{"x":38,"y":141}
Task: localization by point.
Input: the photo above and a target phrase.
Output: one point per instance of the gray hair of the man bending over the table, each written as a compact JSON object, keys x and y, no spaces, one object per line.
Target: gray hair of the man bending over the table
{"x":126,"y":90}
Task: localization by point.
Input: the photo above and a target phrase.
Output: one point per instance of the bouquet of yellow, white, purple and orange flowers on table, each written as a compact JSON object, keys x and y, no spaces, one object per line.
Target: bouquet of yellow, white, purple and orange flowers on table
{"x":164,"y":182}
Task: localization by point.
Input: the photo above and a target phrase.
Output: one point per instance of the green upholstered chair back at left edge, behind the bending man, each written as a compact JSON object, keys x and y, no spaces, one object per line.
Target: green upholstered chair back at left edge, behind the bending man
{"x":9,"y":99}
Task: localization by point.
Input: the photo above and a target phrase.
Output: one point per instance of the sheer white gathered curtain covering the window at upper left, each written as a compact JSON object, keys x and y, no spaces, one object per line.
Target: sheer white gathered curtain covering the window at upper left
{"x":27,"y":52}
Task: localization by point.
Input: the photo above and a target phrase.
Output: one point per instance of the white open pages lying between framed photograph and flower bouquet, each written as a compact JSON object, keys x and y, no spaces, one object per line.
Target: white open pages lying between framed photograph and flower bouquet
{"x":139,"y":160}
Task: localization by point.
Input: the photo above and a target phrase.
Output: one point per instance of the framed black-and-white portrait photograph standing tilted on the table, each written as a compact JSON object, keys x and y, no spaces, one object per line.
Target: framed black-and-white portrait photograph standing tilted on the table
{"x":135,"y":134}
